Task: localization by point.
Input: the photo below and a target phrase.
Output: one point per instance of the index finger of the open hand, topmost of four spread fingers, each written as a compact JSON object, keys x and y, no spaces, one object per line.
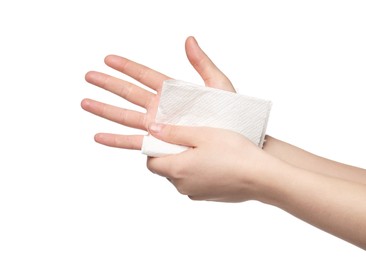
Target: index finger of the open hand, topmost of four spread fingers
{"x":139,"y":72}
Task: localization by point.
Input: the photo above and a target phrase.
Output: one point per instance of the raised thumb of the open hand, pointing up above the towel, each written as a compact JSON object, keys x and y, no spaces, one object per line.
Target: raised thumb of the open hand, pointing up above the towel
{"x":210,"y":74}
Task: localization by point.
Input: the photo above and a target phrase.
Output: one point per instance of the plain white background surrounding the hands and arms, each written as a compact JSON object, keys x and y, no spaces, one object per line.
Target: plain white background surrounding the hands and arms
{"x":62,"y":196}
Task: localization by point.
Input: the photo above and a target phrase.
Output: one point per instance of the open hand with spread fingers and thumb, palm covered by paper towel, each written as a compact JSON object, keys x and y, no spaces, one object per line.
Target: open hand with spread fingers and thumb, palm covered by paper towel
{"x":210,"y":74}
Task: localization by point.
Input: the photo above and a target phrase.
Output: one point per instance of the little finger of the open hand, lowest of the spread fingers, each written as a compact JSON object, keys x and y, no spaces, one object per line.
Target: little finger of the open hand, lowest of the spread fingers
{"x":133,"y":142}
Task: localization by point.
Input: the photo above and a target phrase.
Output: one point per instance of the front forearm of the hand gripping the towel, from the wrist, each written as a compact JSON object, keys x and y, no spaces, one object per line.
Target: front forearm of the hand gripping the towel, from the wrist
{"x":331,"y":204}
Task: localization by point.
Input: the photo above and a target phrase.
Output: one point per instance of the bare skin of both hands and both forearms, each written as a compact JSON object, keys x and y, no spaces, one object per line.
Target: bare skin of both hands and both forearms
{"x":303,"y":184}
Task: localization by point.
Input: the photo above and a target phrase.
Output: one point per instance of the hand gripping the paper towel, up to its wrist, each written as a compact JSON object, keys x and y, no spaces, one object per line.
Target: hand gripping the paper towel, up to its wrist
{"x":221,"y":165}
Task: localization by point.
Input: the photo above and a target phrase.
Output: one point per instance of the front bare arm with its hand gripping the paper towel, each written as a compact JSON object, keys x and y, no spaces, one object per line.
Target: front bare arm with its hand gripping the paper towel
{"x":240,"y":171}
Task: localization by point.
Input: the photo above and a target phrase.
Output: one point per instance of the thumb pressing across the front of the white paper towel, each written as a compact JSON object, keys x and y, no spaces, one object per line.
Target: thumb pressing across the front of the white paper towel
{"x":182,"y":135}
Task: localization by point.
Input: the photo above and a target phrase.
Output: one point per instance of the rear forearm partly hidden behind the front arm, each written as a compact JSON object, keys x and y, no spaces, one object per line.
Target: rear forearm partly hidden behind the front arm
{"x":308,"y":161}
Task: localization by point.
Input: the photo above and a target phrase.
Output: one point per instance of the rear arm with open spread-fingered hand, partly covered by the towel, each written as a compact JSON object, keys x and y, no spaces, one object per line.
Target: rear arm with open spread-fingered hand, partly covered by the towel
{"x":211,"y":76}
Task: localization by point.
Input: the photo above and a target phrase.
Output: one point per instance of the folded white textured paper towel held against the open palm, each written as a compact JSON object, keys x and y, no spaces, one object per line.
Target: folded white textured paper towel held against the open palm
{"x":187,"y":104}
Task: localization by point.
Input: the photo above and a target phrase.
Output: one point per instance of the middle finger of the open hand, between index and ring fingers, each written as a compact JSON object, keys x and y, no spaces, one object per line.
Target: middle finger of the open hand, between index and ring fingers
{"x":124,"y":89}
